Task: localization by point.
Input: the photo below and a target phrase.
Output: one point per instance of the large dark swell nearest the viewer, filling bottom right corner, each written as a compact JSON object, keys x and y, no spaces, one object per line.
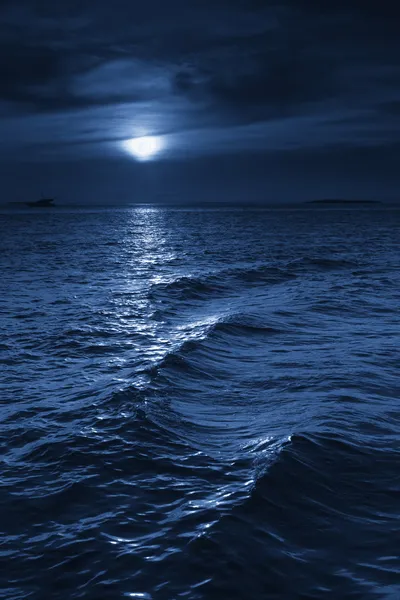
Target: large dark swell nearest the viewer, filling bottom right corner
{"x":327,"y":507}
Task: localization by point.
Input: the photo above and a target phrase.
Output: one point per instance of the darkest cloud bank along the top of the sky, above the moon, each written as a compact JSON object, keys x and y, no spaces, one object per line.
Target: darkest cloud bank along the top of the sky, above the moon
{"x":241,"y":55}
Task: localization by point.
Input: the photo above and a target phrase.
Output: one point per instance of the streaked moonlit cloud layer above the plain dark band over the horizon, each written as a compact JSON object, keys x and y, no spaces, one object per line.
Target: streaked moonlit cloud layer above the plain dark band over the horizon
{"x":213,"y":76}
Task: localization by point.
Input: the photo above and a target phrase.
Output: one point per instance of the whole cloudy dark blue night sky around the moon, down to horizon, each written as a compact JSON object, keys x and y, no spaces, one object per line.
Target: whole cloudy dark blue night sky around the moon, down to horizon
{"x":249,"y":100}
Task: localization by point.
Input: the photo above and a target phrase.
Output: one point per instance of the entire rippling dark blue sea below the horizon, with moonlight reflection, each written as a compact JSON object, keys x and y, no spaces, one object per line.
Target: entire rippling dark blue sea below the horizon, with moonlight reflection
{"x":200,"y":404}
